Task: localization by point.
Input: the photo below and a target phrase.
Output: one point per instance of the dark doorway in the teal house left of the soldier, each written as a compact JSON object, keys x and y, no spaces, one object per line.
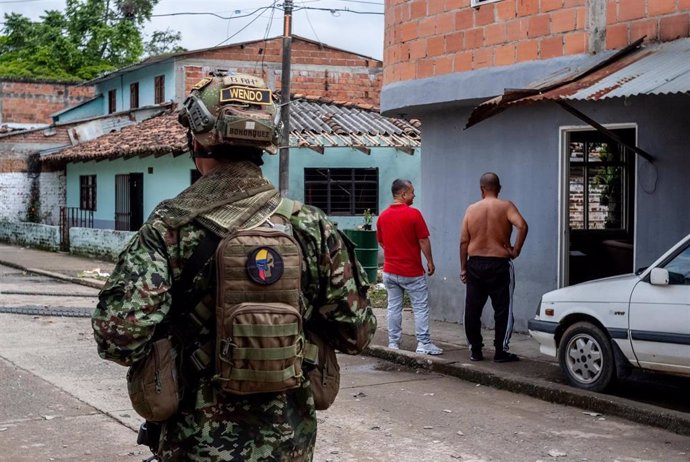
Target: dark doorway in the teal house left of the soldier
{"x":129,"y":201}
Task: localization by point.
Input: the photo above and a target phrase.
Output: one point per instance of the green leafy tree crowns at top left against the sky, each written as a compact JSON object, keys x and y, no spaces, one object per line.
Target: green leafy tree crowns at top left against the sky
{"x":86,"y":39}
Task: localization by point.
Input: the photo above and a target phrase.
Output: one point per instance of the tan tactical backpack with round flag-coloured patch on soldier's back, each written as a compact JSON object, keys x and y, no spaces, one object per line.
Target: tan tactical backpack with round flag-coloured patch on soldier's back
{"x":261,"y":342}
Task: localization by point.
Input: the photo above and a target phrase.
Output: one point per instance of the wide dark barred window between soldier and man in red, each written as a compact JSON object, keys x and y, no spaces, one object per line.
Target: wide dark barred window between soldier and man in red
{"x":342,"y":191}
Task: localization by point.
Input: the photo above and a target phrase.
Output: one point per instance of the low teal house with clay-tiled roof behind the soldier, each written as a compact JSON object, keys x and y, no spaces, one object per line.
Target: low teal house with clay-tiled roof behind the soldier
{"x":343,"y":159}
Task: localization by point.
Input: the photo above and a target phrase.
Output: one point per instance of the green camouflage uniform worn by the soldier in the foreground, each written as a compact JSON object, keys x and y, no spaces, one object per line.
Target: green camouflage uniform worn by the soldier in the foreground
{"x":214,"y":426}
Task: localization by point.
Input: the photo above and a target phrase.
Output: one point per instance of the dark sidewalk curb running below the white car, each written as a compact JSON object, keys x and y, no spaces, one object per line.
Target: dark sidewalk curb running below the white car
{"x":677,"y":422}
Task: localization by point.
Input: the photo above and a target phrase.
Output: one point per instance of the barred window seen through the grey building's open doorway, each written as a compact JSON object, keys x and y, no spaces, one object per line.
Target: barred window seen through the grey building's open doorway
{"x":599,"y":186}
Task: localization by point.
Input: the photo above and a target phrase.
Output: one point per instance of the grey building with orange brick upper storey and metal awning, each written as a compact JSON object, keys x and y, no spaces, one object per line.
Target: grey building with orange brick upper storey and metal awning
{"x":580,"y":107}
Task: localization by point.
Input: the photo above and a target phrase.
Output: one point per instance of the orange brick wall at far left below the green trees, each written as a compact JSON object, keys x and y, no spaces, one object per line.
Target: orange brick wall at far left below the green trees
{"x":34,"y":102}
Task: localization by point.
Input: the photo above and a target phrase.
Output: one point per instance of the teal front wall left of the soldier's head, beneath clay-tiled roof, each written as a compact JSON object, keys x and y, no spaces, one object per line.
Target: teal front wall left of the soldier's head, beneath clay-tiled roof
{"x":170,"y":176}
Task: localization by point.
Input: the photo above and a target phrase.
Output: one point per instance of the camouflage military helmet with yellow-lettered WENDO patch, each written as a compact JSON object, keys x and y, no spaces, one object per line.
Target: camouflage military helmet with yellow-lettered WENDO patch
{"x":233,"y":109}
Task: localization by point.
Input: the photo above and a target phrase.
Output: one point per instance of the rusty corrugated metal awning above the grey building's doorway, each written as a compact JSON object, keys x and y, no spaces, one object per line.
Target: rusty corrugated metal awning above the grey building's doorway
{"x":655,"y":69}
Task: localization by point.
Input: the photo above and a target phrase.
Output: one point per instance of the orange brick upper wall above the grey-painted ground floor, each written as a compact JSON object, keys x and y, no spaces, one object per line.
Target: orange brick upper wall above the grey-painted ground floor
{"x":426,"y":38}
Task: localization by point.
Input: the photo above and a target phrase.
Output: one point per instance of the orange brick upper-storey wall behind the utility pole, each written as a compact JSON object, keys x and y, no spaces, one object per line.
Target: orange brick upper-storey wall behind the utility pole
{"x":359,"y":84}
